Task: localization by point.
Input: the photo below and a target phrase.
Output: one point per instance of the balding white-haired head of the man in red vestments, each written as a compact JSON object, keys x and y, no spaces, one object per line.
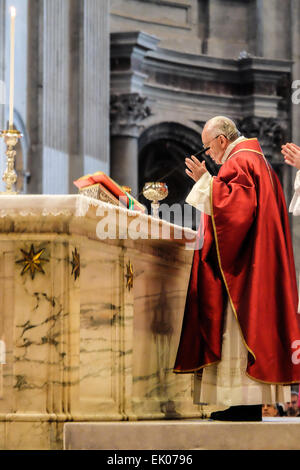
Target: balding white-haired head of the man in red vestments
{"x":217,"y":134}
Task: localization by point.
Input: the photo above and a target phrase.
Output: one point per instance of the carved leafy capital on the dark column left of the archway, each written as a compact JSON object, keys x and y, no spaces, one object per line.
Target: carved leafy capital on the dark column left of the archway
{"x":127,"y":111}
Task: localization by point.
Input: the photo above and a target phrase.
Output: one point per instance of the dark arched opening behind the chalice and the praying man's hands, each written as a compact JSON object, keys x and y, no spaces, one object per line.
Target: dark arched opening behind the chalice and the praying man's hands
{"x":162,"y":152}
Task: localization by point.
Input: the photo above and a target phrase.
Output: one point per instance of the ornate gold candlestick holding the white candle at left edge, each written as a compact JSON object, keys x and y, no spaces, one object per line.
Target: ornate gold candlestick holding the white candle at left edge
{"x":11,"y":138}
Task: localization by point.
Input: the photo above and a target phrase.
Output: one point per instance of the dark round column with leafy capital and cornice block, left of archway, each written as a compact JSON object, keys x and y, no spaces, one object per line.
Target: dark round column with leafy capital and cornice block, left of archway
{"x":128,"y":107}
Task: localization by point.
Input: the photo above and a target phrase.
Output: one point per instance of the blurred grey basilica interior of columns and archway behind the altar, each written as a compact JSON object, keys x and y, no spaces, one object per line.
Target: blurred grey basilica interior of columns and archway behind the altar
{"x":125,"y":87}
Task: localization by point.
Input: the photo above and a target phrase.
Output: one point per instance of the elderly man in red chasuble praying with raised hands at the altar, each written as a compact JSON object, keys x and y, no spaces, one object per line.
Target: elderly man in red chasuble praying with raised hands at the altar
{"x":240,"y":333}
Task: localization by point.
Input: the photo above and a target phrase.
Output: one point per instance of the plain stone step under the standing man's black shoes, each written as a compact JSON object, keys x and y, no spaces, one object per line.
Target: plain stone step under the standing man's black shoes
{"x":271,"y":434}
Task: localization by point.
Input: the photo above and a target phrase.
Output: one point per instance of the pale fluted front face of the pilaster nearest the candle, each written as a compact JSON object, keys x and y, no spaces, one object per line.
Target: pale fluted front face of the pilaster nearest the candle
{"x":55,"y":96}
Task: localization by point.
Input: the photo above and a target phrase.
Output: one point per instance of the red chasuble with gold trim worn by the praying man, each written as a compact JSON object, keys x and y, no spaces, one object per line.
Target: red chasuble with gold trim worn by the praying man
{"x":246,"y":259}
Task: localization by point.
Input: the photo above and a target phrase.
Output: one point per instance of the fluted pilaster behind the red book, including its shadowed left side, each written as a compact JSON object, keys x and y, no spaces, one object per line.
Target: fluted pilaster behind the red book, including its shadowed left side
{"x":89,"y":89}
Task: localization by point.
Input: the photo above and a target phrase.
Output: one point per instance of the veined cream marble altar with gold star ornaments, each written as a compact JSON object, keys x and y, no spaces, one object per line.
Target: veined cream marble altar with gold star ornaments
{"x":89,"y":325}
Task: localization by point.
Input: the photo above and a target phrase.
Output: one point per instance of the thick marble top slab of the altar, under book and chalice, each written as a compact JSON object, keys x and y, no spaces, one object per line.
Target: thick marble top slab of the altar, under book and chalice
{"x":78,"y":214}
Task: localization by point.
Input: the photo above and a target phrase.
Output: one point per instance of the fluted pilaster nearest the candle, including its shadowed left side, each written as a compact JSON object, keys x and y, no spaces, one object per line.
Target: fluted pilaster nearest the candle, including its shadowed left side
{"x":48,"y":95}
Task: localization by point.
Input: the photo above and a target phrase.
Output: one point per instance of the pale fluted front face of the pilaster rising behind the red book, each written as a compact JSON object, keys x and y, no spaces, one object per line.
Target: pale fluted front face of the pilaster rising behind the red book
{"x":96,"y":86}
